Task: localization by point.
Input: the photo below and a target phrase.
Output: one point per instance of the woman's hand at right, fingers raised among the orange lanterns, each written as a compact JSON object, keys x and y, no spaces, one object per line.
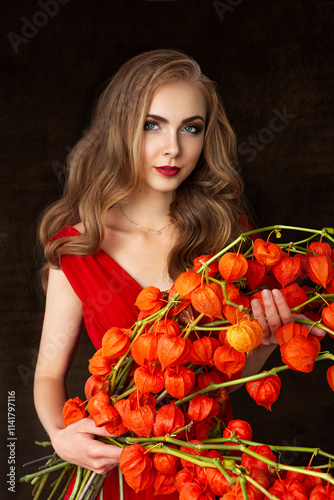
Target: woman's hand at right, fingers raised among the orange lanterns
{"x":276,"y":314}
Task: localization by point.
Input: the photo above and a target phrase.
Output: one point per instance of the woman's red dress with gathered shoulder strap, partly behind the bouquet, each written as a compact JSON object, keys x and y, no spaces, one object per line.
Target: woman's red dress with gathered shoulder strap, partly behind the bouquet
{"x":108,"y":294}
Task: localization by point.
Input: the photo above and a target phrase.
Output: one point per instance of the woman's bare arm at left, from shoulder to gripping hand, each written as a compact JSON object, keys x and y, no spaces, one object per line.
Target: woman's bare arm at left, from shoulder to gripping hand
{"x":60,"y":336}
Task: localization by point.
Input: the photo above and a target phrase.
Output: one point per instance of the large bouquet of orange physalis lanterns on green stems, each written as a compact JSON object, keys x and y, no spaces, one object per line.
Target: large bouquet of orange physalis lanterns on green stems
{"x":160,"y":388}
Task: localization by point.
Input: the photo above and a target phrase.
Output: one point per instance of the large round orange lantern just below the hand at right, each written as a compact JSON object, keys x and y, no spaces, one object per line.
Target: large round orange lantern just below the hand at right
{"x":299,"y":354}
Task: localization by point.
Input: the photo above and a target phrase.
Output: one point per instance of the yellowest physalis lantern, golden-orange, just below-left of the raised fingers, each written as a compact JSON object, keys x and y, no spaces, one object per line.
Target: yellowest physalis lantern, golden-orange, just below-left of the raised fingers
{"x":245,"y":335}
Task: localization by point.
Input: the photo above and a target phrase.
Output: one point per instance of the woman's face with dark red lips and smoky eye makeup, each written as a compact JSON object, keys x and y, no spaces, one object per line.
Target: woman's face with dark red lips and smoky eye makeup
{"x":173,"y":135}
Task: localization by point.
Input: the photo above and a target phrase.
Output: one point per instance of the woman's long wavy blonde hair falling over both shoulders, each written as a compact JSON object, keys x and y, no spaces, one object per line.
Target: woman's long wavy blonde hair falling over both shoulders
{"x":103,"y":167}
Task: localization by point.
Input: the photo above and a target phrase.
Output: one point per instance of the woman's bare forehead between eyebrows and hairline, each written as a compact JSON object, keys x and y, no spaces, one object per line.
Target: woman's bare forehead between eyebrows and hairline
{"x":178,"y":100}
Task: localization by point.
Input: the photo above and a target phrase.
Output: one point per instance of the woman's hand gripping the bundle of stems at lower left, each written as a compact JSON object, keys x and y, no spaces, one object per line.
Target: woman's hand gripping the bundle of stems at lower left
{"x":76,"y":443}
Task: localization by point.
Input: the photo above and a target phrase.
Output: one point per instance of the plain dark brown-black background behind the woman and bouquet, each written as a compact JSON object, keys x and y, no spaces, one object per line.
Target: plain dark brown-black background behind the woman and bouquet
{"x":269,"y":58}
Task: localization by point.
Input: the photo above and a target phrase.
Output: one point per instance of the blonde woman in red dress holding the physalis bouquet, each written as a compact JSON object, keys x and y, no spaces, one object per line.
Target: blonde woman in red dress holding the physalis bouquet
{"x":150,"y":186}
